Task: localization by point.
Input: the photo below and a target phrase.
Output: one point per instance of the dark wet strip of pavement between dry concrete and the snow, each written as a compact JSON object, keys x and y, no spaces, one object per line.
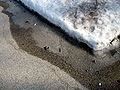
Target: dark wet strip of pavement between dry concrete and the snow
{"x":38,"y":37}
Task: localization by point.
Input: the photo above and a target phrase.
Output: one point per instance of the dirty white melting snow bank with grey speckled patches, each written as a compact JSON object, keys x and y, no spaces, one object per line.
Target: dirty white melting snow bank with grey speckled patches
{"x":95,"y":23}
